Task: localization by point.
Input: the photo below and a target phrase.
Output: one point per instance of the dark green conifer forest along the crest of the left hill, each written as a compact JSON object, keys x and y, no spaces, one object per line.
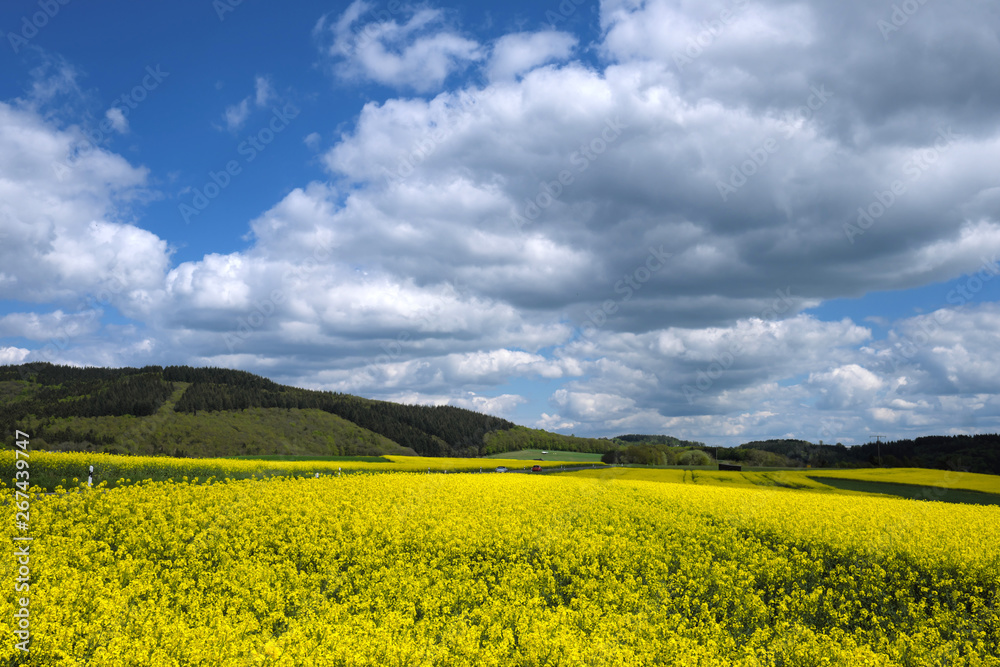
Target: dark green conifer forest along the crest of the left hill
{"x":48,"y":392}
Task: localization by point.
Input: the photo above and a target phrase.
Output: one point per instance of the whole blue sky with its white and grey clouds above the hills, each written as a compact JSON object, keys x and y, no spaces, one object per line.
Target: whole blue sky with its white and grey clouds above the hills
{"x":724,"y":220}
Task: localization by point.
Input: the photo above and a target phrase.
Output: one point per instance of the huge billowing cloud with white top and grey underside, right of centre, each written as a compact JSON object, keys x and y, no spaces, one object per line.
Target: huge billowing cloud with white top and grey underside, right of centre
{"x":657,"y":184}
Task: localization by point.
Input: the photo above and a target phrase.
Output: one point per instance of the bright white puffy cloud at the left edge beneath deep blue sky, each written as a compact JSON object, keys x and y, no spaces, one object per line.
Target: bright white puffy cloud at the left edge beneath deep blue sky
{"x":62,"y":200}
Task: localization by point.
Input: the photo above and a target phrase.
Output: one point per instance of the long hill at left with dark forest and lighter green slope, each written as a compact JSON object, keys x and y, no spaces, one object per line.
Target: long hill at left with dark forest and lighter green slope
{"x":185,"y":411}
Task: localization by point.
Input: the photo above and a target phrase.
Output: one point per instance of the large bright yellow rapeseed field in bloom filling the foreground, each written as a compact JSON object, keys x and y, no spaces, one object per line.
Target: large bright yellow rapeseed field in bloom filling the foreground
{"x":410,"y":569}
